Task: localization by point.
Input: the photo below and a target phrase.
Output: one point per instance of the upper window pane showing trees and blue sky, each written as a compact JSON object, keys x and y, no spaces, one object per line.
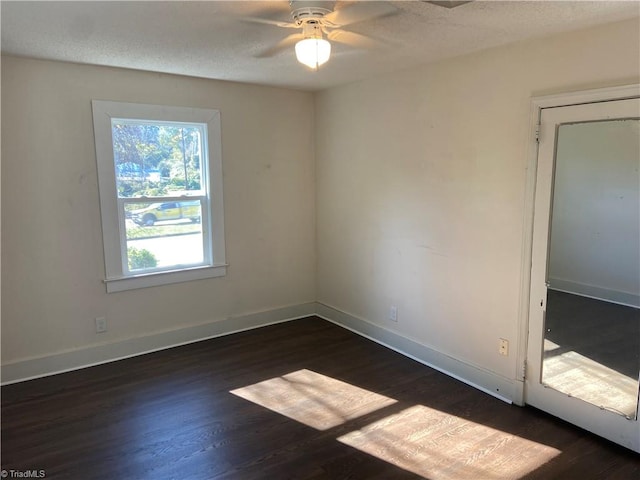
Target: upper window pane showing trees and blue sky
{"x":155,"y":159}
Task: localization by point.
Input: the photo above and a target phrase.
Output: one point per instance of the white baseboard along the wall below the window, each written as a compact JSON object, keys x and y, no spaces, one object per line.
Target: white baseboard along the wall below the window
{"x":99,"y":354}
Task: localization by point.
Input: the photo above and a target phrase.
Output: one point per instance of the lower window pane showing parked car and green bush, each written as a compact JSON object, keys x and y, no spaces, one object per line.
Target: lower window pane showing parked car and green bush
{"x":163,"y":235}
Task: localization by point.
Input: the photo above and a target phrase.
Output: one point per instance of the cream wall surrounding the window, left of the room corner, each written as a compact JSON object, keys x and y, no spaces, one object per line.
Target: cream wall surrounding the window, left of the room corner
{"x":52,"y":257}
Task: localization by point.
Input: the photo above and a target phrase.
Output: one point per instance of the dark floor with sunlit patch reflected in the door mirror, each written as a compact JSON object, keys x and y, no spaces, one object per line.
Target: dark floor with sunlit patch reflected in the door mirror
{"x":592,"y":351}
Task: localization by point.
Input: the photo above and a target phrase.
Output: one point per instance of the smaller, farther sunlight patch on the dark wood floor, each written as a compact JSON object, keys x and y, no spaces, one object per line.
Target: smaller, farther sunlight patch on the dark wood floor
{"x":313,"y":399}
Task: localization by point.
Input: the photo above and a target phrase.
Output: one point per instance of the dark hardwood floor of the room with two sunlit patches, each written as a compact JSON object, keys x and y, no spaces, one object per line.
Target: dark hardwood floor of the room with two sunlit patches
{"x":300,"y":400}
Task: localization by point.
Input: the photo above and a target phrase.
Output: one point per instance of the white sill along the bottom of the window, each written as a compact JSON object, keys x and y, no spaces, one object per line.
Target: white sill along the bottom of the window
{"x":164,"y":278}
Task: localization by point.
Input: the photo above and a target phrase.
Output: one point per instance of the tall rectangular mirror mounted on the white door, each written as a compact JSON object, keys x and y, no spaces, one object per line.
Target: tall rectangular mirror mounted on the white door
{"x":592,"y":323}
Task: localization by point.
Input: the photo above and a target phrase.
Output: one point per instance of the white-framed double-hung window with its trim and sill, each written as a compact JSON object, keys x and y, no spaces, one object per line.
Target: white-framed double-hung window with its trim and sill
{"x":160,"y":179}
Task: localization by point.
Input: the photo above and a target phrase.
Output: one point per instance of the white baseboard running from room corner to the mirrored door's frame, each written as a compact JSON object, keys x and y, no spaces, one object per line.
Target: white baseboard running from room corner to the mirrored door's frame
{"x":508,"y":390}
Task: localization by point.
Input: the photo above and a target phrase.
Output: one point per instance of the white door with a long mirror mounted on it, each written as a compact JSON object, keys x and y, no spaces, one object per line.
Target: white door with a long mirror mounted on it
{"x":583,"y":348}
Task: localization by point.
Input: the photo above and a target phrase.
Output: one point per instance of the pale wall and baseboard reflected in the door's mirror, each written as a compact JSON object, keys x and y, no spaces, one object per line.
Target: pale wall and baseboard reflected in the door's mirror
{"x":595,"y":226}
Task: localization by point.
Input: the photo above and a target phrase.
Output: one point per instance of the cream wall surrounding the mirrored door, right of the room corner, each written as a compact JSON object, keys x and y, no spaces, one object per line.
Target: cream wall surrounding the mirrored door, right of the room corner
{"x":421,"y":182}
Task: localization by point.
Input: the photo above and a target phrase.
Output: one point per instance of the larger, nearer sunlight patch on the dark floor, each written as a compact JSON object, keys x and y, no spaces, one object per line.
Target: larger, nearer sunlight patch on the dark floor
{"x":440,"y":446}
